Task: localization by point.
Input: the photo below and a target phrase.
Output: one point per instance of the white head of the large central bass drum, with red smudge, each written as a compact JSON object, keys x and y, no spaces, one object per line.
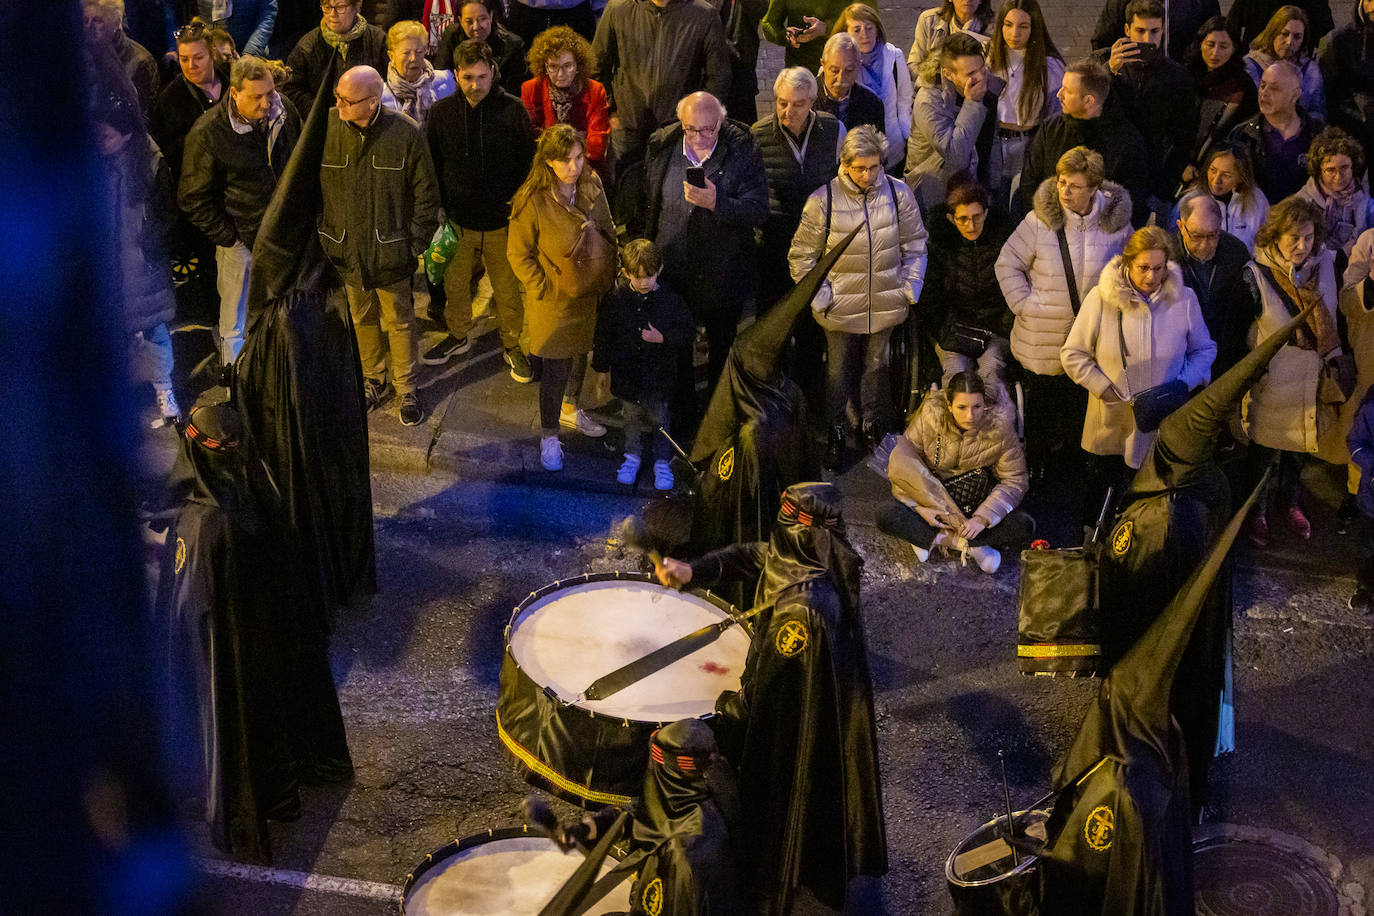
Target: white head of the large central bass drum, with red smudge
{"x":568,"y":639}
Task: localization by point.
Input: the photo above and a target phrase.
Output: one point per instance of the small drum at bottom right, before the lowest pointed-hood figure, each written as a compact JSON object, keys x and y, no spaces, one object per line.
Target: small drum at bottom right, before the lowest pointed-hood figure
{"x":987,"y":881}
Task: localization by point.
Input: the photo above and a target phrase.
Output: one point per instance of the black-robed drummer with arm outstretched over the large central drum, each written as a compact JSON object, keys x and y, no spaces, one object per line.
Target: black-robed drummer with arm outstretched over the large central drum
{"x":809,"y":762}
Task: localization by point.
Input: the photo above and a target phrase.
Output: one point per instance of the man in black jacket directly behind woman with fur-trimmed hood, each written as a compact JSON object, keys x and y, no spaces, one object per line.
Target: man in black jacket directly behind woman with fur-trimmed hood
{"x":1086,"y":124}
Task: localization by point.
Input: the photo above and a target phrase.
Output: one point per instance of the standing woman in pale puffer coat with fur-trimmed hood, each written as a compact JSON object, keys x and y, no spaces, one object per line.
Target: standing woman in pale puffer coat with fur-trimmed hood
{"x":1096,"y":219}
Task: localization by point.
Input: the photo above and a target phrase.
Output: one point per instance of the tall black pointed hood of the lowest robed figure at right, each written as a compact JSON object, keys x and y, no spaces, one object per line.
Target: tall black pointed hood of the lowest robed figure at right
{"x":1131,"y":716}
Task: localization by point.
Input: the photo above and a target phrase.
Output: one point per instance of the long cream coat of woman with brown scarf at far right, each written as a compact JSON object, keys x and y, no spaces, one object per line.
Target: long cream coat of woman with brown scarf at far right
{"x":1280,"y":411}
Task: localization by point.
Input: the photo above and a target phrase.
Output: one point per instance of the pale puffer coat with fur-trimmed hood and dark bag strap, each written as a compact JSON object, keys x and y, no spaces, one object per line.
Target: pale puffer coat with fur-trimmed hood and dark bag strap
{"x":1031,"y":268}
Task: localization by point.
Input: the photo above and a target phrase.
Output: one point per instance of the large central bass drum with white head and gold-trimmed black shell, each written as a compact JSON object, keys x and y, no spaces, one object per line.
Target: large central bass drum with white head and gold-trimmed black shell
{"x":565,"y":637}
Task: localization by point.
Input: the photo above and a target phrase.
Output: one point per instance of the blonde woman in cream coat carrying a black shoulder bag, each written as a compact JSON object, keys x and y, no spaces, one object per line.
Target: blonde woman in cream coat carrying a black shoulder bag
{"x":1138,"y":347}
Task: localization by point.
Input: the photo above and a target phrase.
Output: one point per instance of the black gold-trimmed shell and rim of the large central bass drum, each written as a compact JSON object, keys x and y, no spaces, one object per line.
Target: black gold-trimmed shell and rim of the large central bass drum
{"x":581,"y":756}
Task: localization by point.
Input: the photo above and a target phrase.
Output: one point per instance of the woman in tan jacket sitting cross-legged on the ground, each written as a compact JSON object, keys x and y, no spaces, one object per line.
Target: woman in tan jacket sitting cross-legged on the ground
{"x":958,"y":476}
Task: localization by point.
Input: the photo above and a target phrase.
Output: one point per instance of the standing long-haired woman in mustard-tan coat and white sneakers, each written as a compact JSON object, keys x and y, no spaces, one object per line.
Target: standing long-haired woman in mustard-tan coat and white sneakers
{"x":563,"y":248}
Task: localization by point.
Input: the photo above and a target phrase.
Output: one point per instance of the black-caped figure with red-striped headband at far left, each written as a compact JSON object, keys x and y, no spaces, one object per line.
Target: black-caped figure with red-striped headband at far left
{"x":259,"y":679}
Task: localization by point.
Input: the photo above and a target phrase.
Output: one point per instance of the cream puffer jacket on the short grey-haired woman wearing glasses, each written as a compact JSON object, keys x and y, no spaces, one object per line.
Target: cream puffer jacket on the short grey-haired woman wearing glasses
{"x":879,"y":277}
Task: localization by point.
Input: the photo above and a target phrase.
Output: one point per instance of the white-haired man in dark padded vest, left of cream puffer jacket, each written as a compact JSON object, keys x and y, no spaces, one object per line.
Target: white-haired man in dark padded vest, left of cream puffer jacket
{"x":802,"y":152}
